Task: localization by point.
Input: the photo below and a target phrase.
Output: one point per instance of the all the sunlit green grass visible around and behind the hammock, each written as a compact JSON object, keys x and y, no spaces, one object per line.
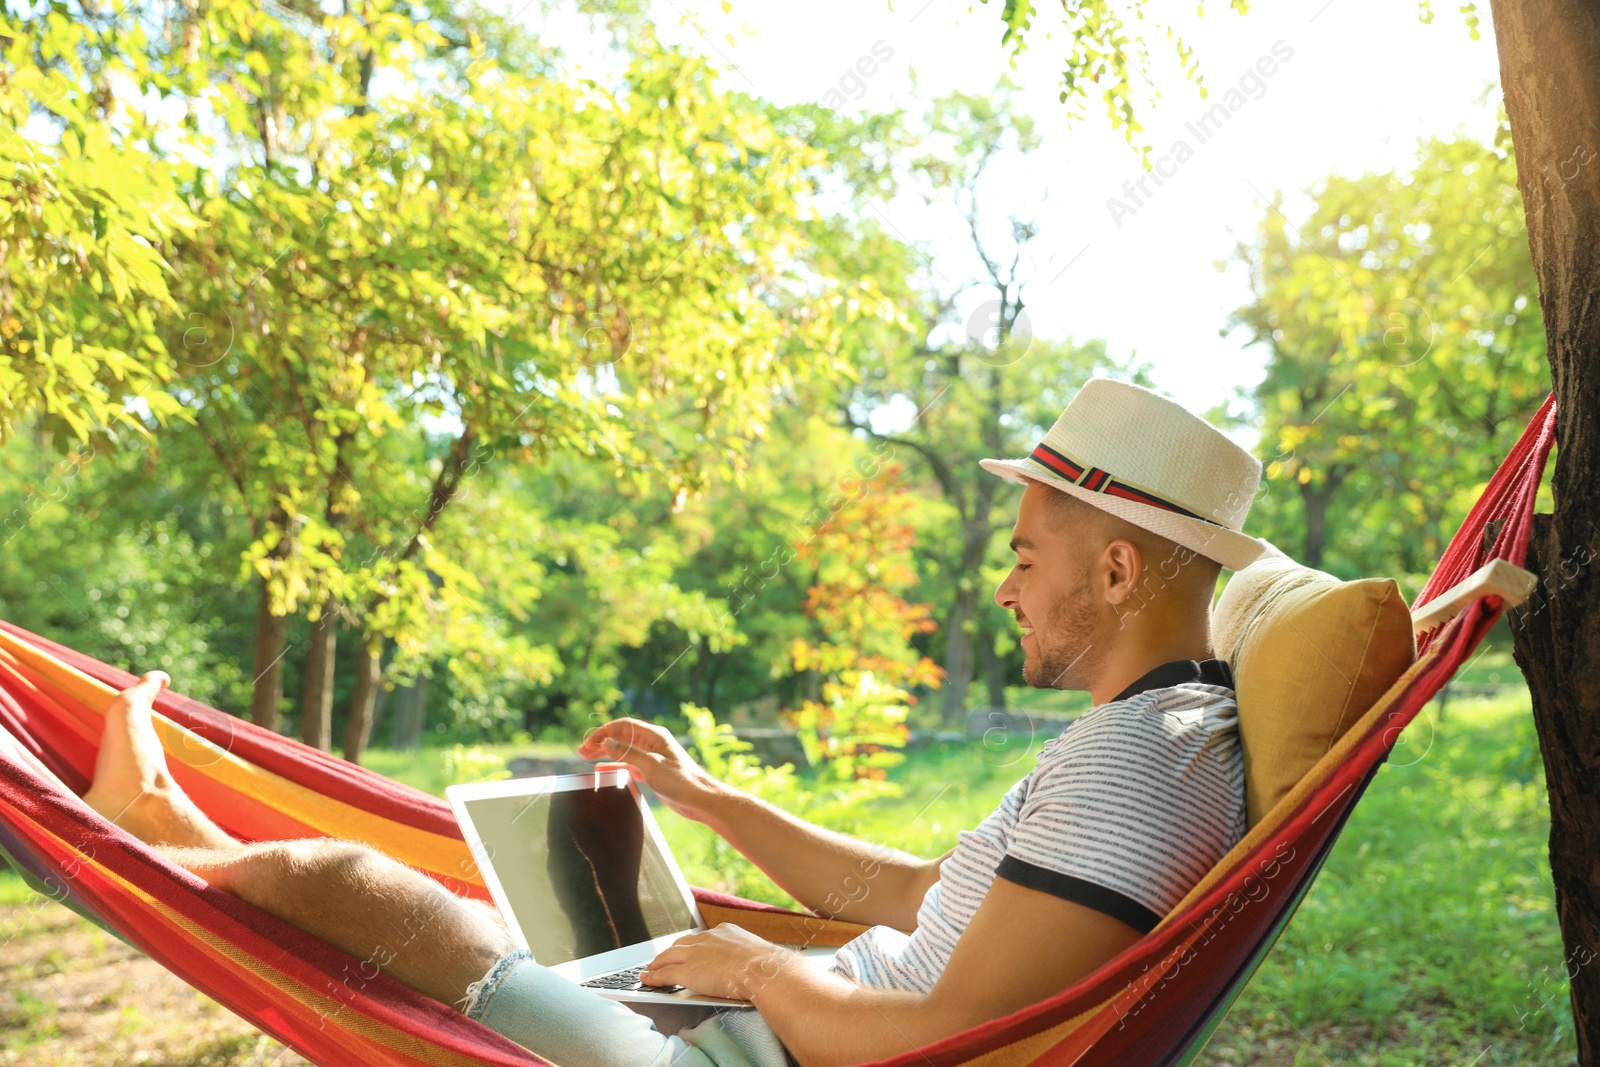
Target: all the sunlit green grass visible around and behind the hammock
{"x":1430,"y":937}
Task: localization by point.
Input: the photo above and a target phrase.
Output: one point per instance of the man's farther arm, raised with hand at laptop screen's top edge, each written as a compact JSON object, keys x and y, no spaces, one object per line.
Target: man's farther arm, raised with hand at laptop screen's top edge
{"x":825,"y":871}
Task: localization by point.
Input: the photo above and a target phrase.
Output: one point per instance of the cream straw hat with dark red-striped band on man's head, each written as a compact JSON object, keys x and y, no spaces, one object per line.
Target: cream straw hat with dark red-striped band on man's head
{"x":1148,"y":460}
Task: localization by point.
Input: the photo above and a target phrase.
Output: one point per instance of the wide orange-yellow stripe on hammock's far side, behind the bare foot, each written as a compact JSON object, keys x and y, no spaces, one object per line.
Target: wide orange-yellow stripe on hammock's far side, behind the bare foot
{"x":418,"y":849}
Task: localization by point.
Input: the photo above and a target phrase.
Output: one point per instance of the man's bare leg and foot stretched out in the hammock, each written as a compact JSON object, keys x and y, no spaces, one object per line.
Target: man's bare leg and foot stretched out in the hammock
{"x":353,"y":897}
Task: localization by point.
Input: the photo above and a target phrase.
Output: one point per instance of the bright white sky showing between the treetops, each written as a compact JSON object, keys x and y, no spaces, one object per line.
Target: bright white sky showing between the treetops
{"x":1326,"y":87}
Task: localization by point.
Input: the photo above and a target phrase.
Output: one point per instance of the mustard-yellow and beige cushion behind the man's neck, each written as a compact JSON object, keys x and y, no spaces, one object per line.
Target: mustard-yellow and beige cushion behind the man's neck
{"x":1310,"y":657}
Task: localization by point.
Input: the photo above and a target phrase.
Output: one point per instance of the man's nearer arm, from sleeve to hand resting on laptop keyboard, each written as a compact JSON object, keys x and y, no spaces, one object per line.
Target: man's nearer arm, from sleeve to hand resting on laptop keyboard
{"x":1022,"y":948}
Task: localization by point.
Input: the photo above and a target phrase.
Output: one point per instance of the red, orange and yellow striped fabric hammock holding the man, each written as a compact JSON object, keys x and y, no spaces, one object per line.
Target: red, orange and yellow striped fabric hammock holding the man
{"x":1156,"y":1004}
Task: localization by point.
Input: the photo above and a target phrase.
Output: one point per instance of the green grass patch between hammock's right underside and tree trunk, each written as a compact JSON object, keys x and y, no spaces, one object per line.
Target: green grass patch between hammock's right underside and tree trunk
{"x":1431,"y":933}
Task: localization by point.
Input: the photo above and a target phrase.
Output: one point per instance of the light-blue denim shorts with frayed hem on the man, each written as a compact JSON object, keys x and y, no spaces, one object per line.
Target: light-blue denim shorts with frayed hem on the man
{"x":572,"y":1026}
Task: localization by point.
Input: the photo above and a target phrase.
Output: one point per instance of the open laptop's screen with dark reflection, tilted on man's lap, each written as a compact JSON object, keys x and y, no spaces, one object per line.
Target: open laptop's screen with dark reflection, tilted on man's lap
{"x":580,"y":873}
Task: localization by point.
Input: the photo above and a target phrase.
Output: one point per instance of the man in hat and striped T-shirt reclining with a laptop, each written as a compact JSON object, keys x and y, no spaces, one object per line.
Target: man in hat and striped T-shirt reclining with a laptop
{"x":1132,"y":508}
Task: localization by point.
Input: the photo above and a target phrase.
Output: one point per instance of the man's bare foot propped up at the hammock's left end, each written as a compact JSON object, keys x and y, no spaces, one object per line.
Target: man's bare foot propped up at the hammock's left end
{"x":132,"y":785}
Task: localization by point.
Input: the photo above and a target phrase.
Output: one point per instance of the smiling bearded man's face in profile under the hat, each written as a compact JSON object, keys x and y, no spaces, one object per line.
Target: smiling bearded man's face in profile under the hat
{"x":1050,"y":594}
